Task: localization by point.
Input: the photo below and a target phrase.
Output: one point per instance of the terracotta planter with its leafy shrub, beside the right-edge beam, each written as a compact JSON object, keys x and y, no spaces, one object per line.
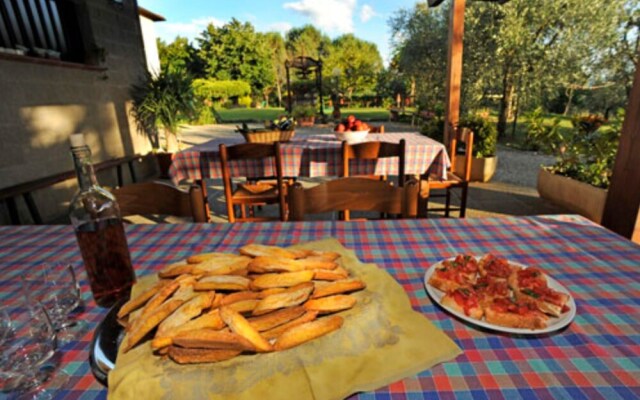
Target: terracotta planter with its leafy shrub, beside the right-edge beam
{"x":578,"y":181}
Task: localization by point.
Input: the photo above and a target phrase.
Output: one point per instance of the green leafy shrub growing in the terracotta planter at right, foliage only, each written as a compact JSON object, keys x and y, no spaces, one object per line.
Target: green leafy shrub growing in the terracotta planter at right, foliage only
{"x":590,"y":151}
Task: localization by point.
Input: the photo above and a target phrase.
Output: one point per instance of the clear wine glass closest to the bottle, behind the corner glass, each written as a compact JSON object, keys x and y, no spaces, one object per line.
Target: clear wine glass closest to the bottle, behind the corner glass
{"x":55,"y":287}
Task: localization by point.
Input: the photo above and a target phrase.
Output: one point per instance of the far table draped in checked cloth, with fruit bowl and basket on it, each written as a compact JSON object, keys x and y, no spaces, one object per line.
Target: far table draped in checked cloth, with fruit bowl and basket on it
{"x":313,"y":156}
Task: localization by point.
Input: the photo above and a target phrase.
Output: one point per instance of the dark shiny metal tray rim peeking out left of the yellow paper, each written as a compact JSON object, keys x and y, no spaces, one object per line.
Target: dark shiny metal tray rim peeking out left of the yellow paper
{"x":104,"y":346}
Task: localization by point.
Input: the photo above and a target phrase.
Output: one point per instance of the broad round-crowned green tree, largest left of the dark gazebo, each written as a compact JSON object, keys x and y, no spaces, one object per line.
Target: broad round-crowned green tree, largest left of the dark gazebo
{"x":236,"y":51}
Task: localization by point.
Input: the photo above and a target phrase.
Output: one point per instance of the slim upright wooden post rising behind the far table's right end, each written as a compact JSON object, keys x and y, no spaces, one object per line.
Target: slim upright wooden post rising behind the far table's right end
{"x":454,"y":67}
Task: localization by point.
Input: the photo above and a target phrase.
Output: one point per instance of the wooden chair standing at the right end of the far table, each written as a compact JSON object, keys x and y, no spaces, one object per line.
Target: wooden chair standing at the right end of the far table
{"x":453,"y":180}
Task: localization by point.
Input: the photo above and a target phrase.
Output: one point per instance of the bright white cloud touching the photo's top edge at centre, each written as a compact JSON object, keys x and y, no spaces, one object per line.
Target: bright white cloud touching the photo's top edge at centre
{"x":333,"y":16}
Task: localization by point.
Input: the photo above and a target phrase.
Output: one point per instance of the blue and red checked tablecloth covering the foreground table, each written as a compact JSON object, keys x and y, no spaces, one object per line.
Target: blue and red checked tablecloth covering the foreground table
{"x":597,"y":356}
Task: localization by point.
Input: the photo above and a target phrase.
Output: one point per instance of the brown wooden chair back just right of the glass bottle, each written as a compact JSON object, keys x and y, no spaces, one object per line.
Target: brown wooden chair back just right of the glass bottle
{"x":159,"y":198}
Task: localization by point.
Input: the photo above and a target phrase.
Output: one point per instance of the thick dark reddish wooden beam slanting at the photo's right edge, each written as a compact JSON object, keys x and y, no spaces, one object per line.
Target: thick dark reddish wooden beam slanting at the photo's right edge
{"x":623,"y":199}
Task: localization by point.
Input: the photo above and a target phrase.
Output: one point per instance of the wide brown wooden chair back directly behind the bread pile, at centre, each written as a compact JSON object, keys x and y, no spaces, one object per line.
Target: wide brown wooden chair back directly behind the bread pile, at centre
{"x":359,"y":194}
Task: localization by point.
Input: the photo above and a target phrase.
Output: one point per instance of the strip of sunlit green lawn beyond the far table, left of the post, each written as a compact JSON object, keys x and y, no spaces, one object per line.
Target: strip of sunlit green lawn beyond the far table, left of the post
{"x":261,"y":114}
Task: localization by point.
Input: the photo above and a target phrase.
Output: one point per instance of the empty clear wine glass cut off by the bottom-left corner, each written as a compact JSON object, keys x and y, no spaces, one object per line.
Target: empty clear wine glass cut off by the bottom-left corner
{"x":27,"y":342}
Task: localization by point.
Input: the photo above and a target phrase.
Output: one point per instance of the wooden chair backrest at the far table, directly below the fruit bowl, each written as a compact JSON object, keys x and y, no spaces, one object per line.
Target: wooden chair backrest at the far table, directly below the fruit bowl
{"x":374,"y":151}
